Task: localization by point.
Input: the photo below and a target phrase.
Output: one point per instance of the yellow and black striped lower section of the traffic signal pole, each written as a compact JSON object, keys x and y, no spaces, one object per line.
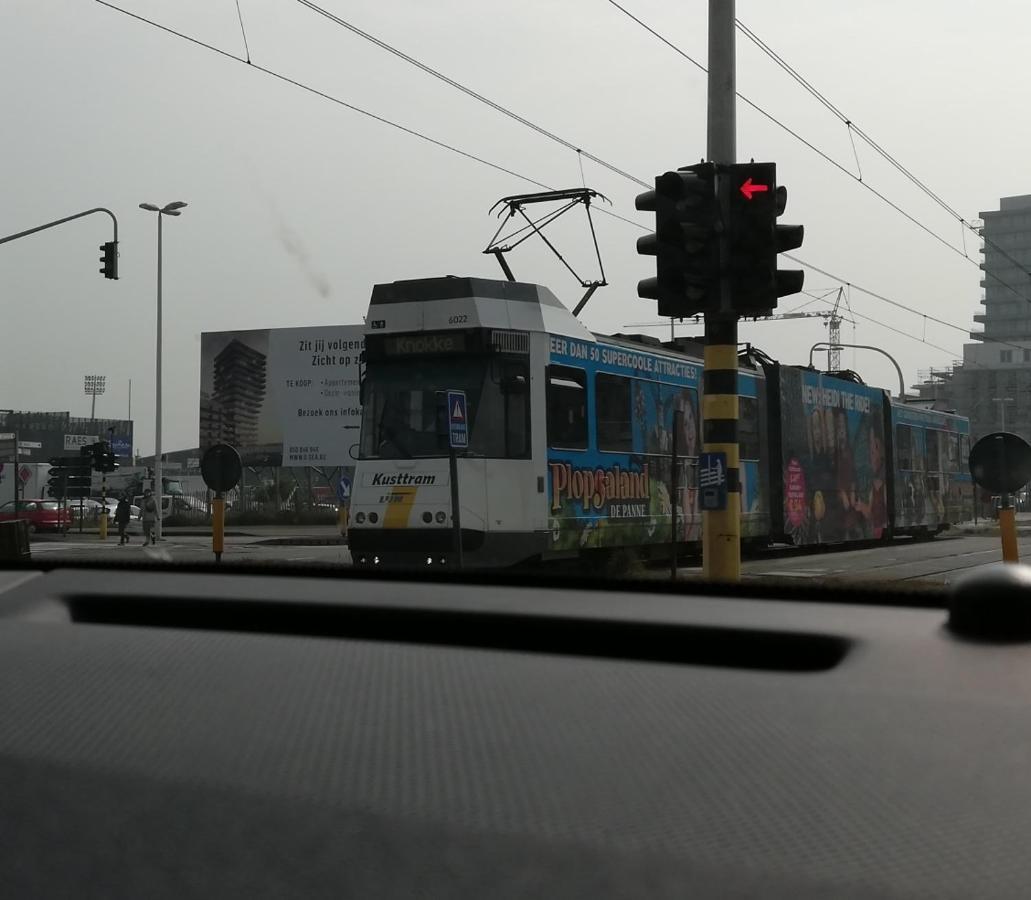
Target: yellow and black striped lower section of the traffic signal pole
{"x":722,"y":528}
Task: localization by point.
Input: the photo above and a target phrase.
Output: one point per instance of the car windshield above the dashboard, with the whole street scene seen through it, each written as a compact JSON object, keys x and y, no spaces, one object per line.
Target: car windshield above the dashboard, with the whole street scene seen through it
{"x":301,"y":310}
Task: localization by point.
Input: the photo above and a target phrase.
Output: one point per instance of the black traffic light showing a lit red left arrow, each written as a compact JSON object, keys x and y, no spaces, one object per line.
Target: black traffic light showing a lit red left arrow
{"x":752,"y":202}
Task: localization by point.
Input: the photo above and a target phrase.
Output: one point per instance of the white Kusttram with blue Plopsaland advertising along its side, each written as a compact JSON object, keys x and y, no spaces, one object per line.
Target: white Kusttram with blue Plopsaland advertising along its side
{"x":571,"y":439}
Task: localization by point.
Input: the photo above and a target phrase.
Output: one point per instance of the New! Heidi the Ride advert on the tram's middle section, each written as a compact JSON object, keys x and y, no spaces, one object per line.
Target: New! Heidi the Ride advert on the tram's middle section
{"x":834,"y":452}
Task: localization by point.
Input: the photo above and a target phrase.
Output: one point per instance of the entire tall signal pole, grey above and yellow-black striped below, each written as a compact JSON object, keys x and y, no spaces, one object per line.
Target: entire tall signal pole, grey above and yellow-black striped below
{"x":722,"y":528}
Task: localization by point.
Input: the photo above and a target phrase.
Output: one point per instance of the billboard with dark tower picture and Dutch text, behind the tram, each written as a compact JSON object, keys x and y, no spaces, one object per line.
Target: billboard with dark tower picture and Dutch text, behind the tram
{"x":283,"y":396}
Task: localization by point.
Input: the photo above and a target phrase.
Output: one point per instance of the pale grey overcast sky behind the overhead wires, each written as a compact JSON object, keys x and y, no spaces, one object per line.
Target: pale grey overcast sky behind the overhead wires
{"x":298,"y":206}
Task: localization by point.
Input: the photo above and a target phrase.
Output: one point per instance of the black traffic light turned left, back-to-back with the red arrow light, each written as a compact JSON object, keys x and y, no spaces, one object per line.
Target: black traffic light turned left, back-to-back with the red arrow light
{"x":686,"y":242}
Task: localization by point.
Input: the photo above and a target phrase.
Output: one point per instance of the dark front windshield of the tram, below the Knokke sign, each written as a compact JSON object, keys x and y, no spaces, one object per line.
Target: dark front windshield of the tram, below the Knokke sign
{"x":404,"y":413}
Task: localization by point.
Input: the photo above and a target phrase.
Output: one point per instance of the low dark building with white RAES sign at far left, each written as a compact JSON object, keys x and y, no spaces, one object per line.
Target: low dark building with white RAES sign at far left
{"x":62,"y":435}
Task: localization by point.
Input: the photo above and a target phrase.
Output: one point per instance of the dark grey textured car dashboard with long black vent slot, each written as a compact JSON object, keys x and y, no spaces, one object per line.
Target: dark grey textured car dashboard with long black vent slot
{"x":248,"y":734}
